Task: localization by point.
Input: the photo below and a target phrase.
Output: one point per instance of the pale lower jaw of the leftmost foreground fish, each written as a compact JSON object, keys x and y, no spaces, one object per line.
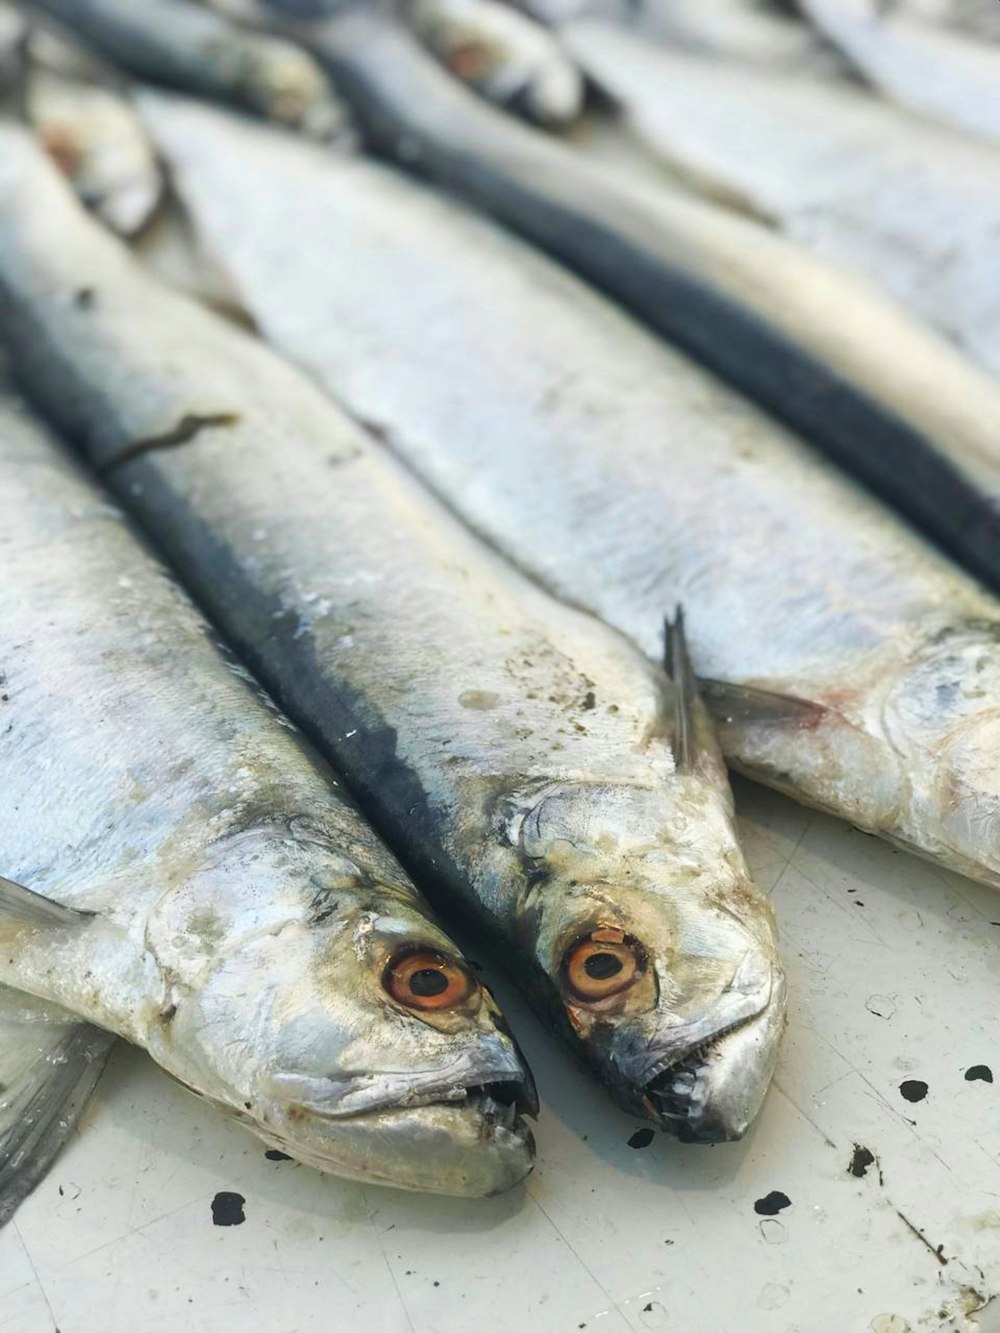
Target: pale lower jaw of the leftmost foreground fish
{"x":473,"y":1148}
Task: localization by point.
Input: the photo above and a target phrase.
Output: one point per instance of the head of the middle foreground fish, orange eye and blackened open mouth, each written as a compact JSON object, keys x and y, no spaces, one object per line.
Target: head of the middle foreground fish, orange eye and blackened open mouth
{"x":662,"y":952}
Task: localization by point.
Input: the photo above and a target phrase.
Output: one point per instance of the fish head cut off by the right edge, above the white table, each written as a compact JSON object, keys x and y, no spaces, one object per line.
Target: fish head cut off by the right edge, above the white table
{"x":943,"y":718}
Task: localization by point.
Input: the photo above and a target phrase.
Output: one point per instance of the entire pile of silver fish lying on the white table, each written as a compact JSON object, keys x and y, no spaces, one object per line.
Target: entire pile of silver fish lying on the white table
{"x":438,"y":499}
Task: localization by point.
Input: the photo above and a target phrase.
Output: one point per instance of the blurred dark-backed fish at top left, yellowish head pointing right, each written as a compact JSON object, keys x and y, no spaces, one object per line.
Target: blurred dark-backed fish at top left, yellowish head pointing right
{"x":182,"y":45}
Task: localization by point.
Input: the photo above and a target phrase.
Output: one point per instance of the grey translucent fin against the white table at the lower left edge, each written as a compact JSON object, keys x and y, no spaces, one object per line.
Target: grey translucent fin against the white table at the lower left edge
{"x":50,"y":1064}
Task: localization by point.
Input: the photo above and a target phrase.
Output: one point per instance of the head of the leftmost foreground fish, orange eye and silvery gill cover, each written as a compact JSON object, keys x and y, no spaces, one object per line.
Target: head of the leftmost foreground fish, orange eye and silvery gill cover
{"x":361,"y":1042}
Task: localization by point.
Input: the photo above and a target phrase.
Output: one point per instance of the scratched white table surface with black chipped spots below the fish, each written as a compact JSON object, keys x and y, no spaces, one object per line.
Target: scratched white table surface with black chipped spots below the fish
{"x":894,"y":975}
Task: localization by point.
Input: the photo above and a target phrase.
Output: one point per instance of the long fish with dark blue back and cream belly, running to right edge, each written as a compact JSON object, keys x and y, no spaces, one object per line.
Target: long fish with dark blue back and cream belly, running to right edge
{"x":823,"y":351}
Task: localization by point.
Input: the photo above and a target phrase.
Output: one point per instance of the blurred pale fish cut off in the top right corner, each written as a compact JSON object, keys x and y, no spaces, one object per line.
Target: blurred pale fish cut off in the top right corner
{"x":947,"y":75}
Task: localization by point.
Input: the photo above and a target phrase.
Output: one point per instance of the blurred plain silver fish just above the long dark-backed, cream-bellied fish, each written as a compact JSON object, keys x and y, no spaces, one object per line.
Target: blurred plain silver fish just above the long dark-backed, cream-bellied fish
{"x":907,"y":203}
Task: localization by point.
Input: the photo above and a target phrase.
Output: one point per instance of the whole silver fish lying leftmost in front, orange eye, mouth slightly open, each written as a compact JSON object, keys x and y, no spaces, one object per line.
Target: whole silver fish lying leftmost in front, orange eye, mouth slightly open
{"x":182,"y":871}
